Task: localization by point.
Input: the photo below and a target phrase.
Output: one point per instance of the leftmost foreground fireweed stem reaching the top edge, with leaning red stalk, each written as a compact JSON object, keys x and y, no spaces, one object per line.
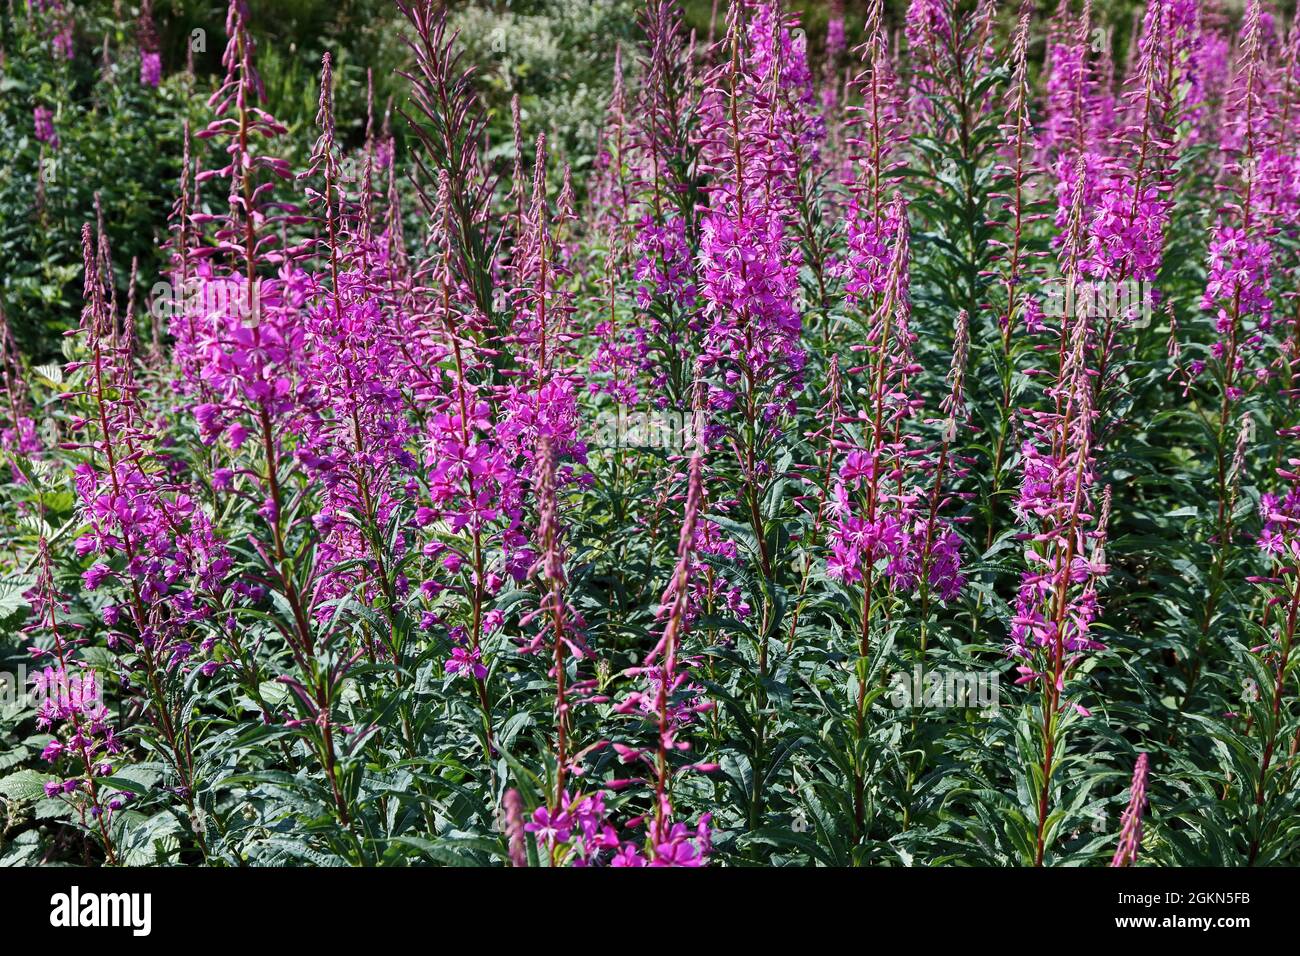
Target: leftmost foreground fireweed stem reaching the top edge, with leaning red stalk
{"x":254,"y":352}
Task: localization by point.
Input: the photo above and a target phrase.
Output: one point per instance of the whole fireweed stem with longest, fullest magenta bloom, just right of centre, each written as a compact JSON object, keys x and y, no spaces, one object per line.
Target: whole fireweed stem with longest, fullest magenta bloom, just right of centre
{"x":760,"y":129}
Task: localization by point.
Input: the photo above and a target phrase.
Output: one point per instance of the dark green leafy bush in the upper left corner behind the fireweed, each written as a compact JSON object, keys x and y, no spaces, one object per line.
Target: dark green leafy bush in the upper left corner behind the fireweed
{"x":118,"y":139}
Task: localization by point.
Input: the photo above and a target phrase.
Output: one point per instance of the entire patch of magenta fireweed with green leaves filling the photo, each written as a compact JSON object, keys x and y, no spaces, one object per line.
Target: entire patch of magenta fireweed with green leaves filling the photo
{"x":882,"y":452}
